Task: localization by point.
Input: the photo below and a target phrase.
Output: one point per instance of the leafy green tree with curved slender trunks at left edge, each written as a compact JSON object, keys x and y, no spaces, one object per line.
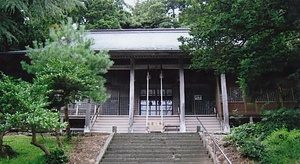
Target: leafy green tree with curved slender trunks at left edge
{"x":23,"y":106}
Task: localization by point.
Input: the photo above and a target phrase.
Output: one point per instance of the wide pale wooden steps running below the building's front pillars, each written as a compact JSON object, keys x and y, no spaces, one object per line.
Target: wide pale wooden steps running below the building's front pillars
{"x":104,"y":123}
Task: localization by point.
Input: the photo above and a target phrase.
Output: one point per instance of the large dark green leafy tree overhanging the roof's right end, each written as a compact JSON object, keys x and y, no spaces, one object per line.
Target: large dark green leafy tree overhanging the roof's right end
{"x":248,"y":38}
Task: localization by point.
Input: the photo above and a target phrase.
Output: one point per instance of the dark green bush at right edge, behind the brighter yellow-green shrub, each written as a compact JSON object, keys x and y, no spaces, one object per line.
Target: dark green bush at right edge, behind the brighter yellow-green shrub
{"x":283,"y":117}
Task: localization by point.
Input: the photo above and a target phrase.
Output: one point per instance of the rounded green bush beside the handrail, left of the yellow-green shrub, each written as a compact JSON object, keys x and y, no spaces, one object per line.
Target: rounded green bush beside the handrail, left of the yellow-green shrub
{"x":247,"y":138}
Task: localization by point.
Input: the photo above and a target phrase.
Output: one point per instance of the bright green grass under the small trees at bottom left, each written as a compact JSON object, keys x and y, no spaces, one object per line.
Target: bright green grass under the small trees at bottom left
{"x":30,"y":154}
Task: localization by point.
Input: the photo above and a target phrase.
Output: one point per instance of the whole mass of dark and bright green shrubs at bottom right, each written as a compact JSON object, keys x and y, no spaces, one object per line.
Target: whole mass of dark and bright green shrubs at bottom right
{"x":262,"y":141}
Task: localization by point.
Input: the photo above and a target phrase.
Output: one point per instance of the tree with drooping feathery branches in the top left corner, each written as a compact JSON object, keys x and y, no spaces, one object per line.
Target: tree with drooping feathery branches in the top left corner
{"x":20,"y":17}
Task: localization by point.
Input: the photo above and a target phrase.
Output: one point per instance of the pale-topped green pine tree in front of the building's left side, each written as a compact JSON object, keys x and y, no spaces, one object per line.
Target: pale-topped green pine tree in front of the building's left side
{"x":70,"y":69}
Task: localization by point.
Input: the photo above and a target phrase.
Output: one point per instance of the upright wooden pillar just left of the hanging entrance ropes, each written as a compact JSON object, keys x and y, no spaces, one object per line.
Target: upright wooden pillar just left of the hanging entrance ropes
{"x":131,"y":96}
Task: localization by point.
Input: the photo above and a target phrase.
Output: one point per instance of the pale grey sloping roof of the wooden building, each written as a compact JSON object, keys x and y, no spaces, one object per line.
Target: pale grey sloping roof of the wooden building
{"x":142,"y":39}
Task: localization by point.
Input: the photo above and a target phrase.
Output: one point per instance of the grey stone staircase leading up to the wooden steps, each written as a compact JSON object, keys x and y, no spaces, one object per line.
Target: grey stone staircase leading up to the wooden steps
{"x":156,"y":148}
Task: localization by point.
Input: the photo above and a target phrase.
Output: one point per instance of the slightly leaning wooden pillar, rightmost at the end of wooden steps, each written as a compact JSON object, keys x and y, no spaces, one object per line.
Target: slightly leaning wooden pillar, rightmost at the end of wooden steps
{"x":225,"y":104}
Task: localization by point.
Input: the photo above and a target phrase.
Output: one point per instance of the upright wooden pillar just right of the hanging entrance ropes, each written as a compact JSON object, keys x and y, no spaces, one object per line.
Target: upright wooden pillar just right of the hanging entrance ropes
{"x":182,"y":98}
